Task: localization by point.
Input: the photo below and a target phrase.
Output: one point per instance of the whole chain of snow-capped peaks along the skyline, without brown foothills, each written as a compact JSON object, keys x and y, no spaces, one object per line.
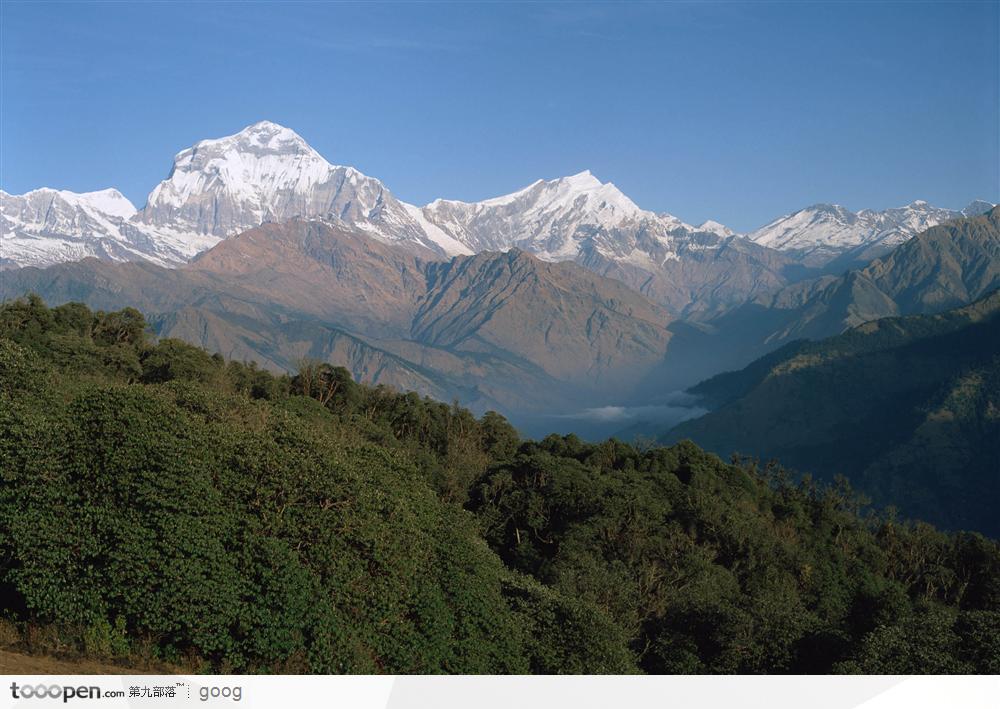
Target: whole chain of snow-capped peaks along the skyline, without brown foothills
{"x":267,"y":173}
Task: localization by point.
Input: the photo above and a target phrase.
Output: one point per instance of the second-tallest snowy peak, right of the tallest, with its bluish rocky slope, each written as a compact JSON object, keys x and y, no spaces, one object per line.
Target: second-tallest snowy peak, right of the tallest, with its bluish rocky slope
{"x":579,"y":218}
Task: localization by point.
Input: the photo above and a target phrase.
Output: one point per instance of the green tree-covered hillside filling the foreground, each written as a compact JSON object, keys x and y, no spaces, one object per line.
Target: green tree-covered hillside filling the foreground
{"x":157,"y":499}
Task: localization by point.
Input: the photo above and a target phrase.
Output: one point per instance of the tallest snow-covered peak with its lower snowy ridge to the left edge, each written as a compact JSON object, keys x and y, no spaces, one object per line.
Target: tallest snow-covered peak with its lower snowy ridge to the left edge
{"x":215,"y":189}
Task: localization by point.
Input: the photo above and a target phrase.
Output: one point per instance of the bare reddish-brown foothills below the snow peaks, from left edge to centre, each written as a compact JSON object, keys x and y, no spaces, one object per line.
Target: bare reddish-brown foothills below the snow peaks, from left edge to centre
{"x":494,"y":330}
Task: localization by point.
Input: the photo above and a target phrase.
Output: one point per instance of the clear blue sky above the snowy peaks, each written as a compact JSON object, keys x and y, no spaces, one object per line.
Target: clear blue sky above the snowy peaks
{"x":733,"y":111}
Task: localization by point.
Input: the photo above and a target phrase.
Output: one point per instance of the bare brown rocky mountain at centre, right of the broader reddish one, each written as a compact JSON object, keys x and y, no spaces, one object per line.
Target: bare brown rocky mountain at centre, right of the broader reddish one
{"x":575,"y":325}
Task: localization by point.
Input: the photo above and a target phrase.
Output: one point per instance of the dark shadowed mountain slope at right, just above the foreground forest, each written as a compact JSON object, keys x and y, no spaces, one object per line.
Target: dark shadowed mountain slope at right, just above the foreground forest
{"x":907,"y":408}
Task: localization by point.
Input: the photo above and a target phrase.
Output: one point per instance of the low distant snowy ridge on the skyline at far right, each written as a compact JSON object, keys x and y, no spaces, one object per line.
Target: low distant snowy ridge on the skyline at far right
{"x":828,"y":233}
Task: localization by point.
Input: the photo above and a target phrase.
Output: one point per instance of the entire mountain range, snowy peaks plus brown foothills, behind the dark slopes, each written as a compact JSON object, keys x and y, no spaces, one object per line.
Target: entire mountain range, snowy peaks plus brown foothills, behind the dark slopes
{"x":557,"y":298}
